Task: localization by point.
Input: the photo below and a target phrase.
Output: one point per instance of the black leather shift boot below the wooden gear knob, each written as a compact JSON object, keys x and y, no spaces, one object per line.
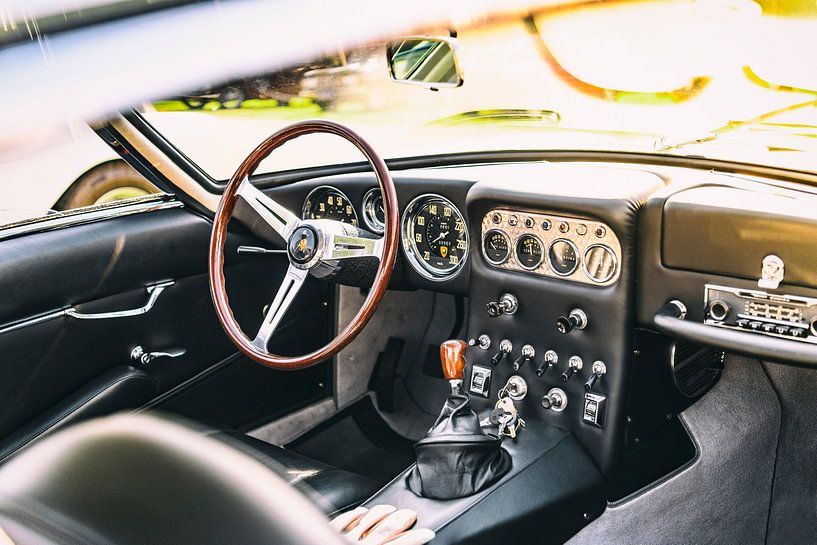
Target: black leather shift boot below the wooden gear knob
{"x":457,"y":458}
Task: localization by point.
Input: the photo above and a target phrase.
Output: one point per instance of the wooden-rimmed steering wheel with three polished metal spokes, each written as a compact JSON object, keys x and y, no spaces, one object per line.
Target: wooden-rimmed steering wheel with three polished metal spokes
{"x":312,"y":245}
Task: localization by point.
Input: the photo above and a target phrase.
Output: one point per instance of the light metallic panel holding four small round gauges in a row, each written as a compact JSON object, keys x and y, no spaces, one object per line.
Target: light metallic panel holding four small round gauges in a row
{"x":575,"y":249}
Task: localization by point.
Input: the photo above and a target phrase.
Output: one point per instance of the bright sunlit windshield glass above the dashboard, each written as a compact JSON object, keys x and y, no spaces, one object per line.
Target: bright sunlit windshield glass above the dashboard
{"x":732,"y":80}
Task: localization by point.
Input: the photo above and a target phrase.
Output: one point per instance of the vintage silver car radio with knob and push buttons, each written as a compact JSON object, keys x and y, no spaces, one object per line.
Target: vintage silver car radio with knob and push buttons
{"x":789,"y":316}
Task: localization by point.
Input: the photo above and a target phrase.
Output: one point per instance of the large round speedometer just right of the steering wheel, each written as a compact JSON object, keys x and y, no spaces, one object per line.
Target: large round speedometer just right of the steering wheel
{"x":434,"y":237}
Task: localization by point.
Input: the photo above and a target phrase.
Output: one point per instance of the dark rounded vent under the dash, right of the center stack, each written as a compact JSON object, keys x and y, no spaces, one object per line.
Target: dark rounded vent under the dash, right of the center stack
{"x":695,"y":368}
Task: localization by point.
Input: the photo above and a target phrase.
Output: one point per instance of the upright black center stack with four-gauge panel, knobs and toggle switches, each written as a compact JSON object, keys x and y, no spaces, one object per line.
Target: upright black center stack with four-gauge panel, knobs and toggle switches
{"x":551,"y":298}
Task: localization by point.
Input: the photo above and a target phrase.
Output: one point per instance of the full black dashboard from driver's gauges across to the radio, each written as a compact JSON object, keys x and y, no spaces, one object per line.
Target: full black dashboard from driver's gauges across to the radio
{"x":564,"y":268}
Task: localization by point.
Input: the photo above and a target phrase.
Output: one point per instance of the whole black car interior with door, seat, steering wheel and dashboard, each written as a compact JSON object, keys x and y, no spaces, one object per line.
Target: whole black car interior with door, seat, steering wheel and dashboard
{"x":524,"y":346}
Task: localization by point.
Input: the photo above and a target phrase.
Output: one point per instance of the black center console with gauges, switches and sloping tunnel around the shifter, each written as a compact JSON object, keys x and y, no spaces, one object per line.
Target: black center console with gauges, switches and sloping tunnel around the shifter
{"x":549,"y":327}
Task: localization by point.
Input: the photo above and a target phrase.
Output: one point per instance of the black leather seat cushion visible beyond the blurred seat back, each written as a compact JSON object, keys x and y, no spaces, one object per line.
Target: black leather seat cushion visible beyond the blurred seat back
{"x":333,"y":490}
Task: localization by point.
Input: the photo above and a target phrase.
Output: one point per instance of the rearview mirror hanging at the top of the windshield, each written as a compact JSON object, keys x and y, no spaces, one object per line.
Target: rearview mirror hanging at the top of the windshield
{"x":426,"y":61}
